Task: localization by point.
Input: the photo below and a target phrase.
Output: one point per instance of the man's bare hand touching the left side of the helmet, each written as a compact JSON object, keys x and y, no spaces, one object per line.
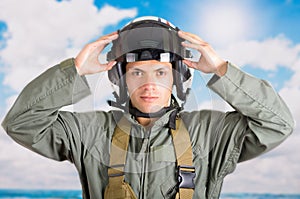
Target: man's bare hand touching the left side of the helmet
{"x":87,"y":60}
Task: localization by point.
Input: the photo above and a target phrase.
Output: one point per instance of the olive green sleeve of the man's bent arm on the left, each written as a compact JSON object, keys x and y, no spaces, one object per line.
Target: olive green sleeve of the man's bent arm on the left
{"x":35,"y":121}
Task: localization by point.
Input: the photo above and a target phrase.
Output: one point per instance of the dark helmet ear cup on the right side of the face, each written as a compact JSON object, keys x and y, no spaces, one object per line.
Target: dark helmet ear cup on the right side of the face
{"x":182,"y":73}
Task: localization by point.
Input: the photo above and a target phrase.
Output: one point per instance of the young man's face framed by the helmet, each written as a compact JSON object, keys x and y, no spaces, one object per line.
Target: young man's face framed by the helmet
{"x":149,"y":84}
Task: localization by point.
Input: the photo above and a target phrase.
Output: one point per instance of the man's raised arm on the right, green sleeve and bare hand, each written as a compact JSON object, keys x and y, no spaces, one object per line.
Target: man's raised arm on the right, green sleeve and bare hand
{"x":261,"y":119}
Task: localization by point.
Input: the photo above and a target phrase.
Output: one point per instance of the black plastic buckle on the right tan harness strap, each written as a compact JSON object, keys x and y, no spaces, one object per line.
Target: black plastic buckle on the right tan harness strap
{"x":186,"y":175}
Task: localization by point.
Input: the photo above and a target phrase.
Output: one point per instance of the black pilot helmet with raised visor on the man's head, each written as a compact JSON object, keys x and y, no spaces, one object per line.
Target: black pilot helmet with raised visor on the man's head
{"x":148,"y":38}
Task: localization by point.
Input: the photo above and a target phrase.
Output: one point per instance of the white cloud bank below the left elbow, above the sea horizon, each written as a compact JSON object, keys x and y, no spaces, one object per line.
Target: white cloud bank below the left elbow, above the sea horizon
{"x":21,"y":168}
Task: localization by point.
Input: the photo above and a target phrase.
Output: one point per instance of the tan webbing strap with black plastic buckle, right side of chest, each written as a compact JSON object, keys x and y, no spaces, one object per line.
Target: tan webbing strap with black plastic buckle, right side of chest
{"x":184,"y":154}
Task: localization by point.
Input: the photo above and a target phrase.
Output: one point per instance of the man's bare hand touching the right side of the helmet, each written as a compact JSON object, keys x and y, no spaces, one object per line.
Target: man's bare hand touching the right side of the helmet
{"x":209,"y":61}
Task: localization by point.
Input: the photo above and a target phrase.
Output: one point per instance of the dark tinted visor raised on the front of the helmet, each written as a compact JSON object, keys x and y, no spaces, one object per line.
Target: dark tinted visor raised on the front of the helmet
{"x":138,"y":44}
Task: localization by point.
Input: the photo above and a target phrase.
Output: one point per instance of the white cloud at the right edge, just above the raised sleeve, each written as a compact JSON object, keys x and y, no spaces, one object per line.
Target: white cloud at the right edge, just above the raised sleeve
{"x":268,"y":54}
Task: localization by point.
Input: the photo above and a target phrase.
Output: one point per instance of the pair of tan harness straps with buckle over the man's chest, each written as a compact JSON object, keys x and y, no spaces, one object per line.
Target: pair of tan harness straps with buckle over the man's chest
{"x":183,"y":151}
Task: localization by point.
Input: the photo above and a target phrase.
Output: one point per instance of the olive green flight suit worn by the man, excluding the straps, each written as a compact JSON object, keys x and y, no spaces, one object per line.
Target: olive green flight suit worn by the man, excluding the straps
{"x":219,"y":140}
